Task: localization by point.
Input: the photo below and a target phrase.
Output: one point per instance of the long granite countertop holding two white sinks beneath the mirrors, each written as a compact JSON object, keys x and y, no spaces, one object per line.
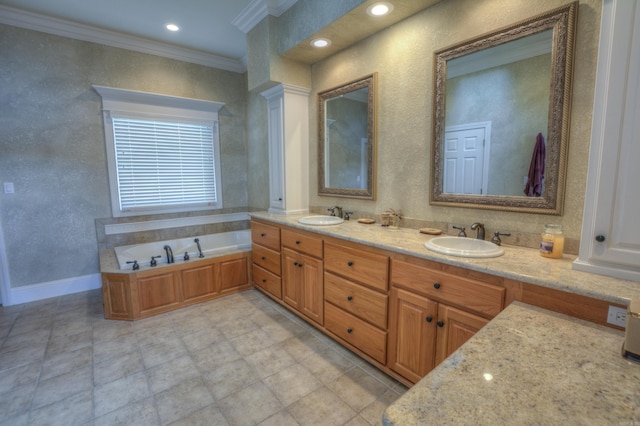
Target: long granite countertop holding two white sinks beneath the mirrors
{"x":518,"y":263}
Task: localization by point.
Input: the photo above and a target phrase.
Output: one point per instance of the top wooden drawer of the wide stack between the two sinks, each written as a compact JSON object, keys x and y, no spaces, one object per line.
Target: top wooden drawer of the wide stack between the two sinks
{"x":368,"y":268}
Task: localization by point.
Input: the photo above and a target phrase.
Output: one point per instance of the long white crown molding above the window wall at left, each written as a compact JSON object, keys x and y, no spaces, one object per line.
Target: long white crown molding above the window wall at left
{"x":61,"y":27}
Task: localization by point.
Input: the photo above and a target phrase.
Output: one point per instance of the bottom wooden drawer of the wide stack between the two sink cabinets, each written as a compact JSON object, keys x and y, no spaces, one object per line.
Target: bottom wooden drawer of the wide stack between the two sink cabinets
{"x":357,"y":332}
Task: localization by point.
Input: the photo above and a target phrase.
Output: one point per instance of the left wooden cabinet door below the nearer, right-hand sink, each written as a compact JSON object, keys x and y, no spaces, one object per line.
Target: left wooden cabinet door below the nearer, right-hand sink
{"x":412,"y":334}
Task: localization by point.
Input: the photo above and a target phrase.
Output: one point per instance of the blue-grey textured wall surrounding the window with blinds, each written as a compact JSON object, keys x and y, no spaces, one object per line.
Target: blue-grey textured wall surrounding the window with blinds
{"x":52,"y":143}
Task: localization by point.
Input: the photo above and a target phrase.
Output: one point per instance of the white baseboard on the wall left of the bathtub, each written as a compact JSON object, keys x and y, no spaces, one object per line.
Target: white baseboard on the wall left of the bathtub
{"x":40,"y":291}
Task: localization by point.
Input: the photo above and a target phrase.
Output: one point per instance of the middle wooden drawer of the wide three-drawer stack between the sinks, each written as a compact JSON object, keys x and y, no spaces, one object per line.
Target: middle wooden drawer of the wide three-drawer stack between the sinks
{"x":360,"y":301}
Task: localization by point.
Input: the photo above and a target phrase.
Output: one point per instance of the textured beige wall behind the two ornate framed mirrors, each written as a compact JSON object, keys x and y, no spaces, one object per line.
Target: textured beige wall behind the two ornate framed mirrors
{"x":403,"y":57}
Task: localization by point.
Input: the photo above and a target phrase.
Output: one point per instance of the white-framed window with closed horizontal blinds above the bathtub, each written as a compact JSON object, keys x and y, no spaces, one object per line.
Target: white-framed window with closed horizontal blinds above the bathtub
{"x":163,"y":152}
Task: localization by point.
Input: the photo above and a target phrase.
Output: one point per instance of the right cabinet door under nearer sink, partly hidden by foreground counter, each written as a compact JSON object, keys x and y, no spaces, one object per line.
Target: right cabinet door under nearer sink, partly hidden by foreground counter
{"x":454,"y":328}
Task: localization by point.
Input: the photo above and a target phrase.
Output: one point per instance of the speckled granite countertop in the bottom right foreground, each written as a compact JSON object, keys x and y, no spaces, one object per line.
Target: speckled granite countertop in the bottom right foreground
{"x":528,"y":366}
